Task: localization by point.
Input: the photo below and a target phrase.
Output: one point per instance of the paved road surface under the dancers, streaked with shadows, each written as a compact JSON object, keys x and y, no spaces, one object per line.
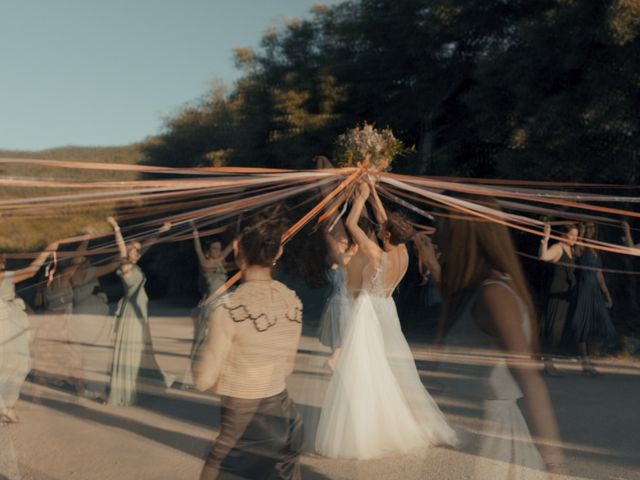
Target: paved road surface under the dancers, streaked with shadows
{"x":167,"y":437}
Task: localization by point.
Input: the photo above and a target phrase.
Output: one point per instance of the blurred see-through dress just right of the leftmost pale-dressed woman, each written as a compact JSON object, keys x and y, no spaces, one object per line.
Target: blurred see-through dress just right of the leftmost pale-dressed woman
{"x":53,"y":351}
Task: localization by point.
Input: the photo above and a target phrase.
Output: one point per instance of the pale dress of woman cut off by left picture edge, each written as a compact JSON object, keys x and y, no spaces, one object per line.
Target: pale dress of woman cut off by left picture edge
{"x":15,"y":357}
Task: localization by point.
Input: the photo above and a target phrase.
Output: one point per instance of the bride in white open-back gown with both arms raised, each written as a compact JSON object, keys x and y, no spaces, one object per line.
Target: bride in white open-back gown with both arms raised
{"x":375,"y":402}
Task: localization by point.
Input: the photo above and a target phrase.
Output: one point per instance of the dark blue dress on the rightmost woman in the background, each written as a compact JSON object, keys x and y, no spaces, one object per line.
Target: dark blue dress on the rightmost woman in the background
{"x":590,"y":318}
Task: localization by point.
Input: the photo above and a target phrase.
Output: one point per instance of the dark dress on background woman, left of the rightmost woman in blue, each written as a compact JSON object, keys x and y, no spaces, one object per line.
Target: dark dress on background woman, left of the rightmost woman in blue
{"x":559,"y":302}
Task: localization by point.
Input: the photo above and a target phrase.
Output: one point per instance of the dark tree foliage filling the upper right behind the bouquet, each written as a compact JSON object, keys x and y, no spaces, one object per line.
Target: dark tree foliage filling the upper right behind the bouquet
{"x":545,"y":89}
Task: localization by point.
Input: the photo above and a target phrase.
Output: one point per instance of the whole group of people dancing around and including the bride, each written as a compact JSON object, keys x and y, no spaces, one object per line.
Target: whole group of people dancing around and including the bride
{"x":245,"y":342}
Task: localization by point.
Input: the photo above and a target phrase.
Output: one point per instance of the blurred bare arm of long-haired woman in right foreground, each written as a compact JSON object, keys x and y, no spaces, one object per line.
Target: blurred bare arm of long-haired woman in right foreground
{"x":505,"y":322}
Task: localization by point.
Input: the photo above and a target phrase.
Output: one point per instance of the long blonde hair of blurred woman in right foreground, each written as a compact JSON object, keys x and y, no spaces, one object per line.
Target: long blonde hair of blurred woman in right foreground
{"x":472,"y":248}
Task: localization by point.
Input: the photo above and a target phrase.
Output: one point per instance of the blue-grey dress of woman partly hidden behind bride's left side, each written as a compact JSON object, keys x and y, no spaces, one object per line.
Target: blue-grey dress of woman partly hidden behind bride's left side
{"x":337,"y":310}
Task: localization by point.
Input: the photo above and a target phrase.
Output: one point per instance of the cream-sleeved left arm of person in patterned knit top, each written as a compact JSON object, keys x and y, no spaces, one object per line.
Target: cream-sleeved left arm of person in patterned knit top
{"x":206,"y":370}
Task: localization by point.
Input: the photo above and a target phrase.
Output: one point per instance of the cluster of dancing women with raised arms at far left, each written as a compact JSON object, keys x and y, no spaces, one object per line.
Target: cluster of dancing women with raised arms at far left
{"x":76,"y":308}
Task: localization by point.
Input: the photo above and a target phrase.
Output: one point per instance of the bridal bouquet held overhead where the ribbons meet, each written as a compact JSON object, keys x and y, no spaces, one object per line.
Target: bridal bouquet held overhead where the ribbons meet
{"x":368,"y":146}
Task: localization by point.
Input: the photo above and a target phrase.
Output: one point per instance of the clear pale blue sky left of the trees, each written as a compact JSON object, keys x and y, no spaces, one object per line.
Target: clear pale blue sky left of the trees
{"x":106,"y":72}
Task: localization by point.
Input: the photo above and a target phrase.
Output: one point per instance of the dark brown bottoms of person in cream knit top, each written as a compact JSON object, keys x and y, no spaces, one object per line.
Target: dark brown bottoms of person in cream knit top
{"x":259,"y":438}
